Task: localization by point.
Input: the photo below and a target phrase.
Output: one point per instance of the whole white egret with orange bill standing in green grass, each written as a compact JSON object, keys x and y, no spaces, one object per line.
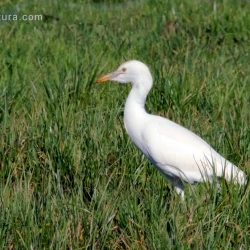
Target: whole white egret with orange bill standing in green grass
{"x":177,"y":152}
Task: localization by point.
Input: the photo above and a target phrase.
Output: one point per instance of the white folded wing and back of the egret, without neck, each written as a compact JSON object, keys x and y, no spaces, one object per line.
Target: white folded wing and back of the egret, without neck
{"x":177,"y":151}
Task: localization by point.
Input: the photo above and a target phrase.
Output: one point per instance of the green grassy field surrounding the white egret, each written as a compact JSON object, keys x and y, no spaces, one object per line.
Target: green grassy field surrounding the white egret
{"x":70,"y":177}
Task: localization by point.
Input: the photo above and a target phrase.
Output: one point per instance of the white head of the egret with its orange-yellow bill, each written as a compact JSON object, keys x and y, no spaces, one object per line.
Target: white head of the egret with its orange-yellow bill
{"x":131,"y":71}
